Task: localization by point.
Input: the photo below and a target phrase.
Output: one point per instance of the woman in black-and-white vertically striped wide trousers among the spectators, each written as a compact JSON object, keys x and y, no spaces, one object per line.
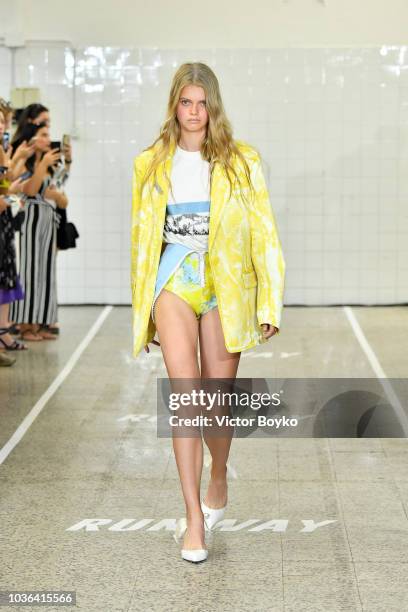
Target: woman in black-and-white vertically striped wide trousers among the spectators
{"x":38,"y":238}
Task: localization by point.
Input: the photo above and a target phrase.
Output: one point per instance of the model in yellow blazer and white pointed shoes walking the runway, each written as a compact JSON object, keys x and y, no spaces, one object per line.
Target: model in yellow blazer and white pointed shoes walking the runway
{"x":206,"y":267}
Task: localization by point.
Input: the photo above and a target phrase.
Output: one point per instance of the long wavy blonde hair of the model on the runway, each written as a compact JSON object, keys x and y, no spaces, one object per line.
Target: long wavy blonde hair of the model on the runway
{"x":218,"y":144}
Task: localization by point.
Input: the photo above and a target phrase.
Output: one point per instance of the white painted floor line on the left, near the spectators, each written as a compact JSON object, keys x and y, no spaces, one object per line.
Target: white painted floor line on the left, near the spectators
{"x":57,"y":382}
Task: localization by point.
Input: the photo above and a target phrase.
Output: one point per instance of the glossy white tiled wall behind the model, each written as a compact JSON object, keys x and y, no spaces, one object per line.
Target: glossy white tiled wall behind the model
{"x":331,"y":124}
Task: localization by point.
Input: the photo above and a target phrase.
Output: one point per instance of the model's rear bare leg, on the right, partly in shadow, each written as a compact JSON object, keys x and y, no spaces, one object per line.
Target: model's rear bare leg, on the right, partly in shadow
{"x":216,"y":362}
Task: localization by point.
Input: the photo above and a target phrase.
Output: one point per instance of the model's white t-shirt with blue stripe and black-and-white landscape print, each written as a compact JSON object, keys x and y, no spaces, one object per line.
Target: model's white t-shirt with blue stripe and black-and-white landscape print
{"x":188,"y":213}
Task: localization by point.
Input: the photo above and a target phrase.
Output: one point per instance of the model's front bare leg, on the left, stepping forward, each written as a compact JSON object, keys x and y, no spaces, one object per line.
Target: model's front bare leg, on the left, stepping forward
{"x":177,"y":328}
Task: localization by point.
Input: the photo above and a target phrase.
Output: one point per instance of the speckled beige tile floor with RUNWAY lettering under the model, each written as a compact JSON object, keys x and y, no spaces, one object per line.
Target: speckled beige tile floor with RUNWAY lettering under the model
{"x":333,"y":512}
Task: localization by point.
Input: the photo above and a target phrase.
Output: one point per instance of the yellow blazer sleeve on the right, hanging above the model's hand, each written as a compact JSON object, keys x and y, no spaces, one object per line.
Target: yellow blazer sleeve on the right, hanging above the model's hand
{"x":266,"y":251}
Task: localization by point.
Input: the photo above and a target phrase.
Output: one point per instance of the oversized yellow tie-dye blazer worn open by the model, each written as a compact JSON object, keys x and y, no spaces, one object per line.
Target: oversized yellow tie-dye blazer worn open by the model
{"x":245,"y":253}
